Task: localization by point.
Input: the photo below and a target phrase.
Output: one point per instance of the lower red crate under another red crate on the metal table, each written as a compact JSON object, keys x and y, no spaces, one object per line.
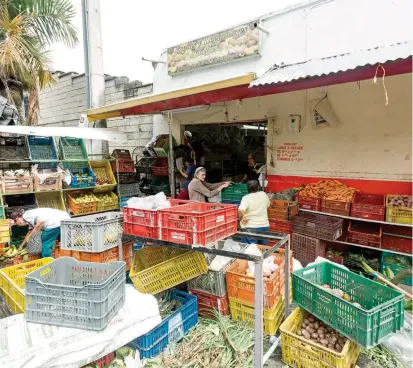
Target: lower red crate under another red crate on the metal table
{"x":190,"y":237}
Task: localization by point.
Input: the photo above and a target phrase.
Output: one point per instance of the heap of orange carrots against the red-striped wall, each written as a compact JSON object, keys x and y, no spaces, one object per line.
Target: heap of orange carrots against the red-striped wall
{"x":330,"y":190}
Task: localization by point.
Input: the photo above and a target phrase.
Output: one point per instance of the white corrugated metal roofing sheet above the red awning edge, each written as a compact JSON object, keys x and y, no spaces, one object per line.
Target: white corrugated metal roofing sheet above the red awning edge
{"x":334,"y":64}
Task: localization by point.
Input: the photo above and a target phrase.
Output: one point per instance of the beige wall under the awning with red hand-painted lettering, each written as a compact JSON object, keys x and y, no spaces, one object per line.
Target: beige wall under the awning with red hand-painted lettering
{"x":373,"y":141}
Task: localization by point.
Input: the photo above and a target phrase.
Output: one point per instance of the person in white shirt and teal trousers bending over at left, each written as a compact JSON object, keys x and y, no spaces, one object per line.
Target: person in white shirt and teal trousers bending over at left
{"x":44,"y":220}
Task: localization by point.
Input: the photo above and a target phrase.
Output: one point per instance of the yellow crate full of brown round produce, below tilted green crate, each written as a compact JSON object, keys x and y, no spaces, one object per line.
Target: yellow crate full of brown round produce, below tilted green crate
{"x":308,"y":342}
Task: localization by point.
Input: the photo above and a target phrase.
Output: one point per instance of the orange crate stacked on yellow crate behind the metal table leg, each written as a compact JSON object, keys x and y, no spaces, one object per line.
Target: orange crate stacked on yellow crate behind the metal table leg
{"x":242,"y":287}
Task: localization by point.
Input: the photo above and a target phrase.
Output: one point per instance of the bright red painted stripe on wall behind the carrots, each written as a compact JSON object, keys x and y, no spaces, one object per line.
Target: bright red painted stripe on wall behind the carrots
{"x":277,"y":183}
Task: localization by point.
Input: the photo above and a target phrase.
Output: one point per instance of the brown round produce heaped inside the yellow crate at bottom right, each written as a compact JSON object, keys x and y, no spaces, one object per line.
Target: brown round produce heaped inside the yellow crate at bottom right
{"x":317,"y":332}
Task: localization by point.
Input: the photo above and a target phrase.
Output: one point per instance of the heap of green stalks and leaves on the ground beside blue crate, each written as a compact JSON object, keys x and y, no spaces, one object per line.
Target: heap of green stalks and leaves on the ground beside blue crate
{"x":213,"y":343}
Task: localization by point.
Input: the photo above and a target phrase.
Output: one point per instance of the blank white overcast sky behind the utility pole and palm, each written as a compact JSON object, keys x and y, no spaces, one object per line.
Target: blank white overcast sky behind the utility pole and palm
{"x":132,"y":29}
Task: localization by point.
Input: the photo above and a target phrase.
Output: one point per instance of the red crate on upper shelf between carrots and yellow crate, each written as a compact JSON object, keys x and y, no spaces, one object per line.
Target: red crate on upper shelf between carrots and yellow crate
{"x":368,"y":206}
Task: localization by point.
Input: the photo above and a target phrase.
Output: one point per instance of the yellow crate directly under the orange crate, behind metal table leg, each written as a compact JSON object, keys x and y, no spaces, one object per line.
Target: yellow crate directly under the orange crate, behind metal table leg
{"x":245,"y":312}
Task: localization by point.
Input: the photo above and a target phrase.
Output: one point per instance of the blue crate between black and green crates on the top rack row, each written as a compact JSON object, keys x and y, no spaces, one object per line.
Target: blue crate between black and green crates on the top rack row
{"x":43,"y":148}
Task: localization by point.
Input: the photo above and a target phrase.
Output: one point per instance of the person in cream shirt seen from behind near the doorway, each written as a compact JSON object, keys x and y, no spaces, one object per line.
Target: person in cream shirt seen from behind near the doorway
{"x":252,"y":212}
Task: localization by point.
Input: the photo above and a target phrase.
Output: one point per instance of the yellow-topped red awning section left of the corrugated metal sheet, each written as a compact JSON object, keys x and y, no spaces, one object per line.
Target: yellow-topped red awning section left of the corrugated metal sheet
{"x":210,"y":93}
